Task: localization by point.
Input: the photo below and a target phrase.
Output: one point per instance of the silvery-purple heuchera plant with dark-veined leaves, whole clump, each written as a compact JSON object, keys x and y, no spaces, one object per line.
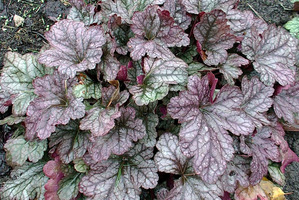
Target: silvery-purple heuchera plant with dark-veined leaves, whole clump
{"x":151,"y":99}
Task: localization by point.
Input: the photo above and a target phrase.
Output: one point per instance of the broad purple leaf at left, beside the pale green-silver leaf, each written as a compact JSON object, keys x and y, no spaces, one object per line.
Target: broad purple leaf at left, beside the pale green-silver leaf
{"x":54,"y":105}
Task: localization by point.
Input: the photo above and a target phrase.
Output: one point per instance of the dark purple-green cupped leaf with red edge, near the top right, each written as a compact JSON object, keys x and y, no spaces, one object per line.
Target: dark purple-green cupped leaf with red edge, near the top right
{"x":215,"y":37}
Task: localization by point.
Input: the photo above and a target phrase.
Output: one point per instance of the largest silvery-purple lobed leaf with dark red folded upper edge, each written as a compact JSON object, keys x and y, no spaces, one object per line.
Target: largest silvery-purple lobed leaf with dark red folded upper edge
{"x":205,"y":124}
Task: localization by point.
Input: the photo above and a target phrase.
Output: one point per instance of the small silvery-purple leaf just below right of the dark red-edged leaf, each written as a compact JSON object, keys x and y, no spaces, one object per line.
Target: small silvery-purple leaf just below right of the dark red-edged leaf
{"x":231,"y":68}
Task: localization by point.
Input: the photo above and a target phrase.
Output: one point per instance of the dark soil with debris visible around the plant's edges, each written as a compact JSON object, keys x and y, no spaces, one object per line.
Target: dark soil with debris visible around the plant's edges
{"x":39,"y":15}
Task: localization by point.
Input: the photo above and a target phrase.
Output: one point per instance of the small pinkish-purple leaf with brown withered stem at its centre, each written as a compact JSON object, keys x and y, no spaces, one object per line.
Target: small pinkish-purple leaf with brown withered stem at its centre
{"x":100,"y":120}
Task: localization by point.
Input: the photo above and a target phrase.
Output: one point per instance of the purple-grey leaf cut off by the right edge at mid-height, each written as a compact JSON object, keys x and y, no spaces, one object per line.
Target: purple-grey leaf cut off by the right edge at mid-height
{"x":286,"y":104}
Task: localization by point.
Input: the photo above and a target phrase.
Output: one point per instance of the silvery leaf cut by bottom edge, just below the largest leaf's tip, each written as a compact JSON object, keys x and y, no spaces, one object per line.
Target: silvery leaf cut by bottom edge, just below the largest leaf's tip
{"x":195,"y":188}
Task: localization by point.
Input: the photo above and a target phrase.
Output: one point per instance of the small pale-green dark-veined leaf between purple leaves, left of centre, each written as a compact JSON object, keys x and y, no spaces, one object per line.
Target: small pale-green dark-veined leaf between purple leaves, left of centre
{"x":87,"y":88}
